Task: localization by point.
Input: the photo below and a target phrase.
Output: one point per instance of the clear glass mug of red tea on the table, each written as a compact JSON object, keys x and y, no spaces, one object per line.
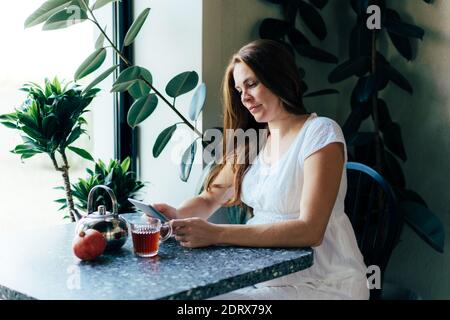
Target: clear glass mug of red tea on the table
{"x":146,"y":235}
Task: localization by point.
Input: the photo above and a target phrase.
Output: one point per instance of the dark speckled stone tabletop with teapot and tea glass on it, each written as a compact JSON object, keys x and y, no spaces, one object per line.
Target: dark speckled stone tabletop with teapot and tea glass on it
{"x":40,"y":265}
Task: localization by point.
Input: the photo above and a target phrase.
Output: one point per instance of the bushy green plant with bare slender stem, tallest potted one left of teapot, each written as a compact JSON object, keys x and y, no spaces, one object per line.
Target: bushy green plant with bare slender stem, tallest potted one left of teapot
{"x":50,"y":121}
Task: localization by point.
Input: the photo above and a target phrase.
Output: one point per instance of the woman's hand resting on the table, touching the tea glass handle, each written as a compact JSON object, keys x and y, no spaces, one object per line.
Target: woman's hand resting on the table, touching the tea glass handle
{"x":195,"y":232}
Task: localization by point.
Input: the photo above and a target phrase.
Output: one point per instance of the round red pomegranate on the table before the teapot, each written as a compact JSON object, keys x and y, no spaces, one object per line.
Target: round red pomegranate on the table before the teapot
{"x":88,"y":244}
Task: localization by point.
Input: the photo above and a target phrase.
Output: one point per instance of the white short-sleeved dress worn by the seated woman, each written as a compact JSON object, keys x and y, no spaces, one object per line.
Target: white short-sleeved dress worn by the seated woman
{"x":274,"y":192}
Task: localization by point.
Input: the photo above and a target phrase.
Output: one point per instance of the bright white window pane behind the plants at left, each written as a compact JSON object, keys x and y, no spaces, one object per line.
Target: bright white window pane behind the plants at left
{"x":26,"y":189}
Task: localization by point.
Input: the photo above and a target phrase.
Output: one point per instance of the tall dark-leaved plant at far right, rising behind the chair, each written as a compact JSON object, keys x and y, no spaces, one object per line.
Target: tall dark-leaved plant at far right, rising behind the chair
{"x":383,"y":147}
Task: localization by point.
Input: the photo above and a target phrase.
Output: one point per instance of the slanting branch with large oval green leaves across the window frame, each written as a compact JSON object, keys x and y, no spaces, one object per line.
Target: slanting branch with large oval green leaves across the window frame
{"x":136,"y":80}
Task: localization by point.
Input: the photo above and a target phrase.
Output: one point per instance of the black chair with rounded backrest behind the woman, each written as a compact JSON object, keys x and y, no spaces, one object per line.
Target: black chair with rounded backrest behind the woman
{"x":373,"y":210}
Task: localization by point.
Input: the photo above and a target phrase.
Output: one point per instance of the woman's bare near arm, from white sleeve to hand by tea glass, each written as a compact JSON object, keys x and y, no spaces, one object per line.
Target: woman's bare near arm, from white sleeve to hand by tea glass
{"x":322,"y":176}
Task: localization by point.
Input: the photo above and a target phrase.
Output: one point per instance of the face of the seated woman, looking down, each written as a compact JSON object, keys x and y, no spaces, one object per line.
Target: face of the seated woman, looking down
{"x":262,"y":103}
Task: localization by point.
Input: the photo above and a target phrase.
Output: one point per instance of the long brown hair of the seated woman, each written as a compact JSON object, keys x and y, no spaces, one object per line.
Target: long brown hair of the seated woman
{"x":274,"y":66}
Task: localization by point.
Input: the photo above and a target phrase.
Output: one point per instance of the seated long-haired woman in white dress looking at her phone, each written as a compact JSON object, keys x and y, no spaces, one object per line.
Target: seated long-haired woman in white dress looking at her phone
{"x":297,"y":194}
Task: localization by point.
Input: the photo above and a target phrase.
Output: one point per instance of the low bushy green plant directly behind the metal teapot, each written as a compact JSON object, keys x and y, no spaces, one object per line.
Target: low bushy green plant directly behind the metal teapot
{"x":117,"y":176}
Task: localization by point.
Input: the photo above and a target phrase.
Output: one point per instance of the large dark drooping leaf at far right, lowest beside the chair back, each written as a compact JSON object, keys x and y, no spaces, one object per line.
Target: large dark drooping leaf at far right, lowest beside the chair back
{"x":425,"y":223}
